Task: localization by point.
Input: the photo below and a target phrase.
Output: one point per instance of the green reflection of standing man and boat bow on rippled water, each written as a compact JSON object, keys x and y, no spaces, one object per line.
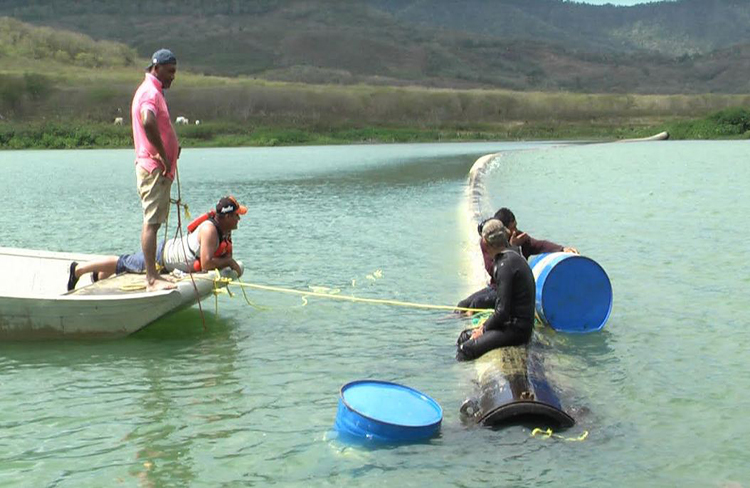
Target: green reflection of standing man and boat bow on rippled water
{"x":187,"y":401}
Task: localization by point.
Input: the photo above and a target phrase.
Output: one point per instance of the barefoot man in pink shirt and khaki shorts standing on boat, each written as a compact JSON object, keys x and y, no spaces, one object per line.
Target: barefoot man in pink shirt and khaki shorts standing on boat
{"x":156,"y":153}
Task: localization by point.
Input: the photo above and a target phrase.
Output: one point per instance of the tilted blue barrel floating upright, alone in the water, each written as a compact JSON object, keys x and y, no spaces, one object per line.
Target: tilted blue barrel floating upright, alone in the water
{"x":386,"y":412}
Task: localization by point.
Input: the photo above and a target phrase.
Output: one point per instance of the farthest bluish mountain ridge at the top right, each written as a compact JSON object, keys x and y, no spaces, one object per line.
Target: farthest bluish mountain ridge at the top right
{"x":670,"y":28}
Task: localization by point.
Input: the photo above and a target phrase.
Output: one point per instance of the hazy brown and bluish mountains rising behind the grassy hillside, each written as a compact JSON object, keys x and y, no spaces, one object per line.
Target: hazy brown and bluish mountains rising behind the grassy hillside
{"x":687,"y":46}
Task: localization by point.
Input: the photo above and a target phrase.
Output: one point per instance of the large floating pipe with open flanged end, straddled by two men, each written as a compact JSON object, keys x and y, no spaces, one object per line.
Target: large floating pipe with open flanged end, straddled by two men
{"x":511,"y":382}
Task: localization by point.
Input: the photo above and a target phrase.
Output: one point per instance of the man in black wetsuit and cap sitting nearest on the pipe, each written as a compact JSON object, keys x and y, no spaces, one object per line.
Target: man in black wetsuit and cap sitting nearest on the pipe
{"x":513,"y":319}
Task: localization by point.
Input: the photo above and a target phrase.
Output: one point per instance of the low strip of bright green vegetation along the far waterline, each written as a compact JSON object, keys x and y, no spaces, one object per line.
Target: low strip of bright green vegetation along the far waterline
{"x":727,"y":124}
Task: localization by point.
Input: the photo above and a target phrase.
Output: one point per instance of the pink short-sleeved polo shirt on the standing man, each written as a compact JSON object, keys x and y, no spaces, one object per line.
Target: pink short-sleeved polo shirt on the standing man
{"x":150,"y":96}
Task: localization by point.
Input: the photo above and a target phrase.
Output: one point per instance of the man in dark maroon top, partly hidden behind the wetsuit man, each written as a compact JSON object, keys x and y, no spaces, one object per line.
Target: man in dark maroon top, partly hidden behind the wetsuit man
{"x":519,"y":240}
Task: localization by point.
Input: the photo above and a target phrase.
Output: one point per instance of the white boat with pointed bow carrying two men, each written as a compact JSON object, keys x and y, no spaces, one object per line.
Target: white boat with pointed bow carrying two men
{"x":35,"y":303}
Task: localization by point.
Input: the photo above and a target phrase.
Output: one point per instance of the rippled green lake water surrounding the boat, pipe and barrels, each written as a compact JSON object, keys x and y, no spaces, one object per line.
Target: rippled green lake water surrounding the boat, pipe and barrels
{"x":250,"y":401}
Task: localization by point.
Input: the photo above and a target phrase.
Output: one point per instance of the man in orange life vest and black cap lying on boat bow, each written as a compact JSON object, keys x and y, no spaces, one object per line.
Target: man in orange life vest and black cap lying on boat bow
{"x":207,"y":245}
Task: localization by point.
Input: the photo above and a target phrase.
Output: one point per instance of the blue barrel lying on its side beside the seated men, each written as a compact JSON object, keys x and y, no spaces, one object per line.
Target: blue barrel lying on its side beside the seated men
{"x":573,"y":293}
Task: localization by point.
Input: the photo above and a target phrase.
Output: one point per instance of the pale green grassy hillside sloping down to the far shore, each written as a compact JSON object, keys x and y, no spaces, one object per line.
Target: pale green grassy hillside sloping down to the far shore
{"x":63,"y":89}
